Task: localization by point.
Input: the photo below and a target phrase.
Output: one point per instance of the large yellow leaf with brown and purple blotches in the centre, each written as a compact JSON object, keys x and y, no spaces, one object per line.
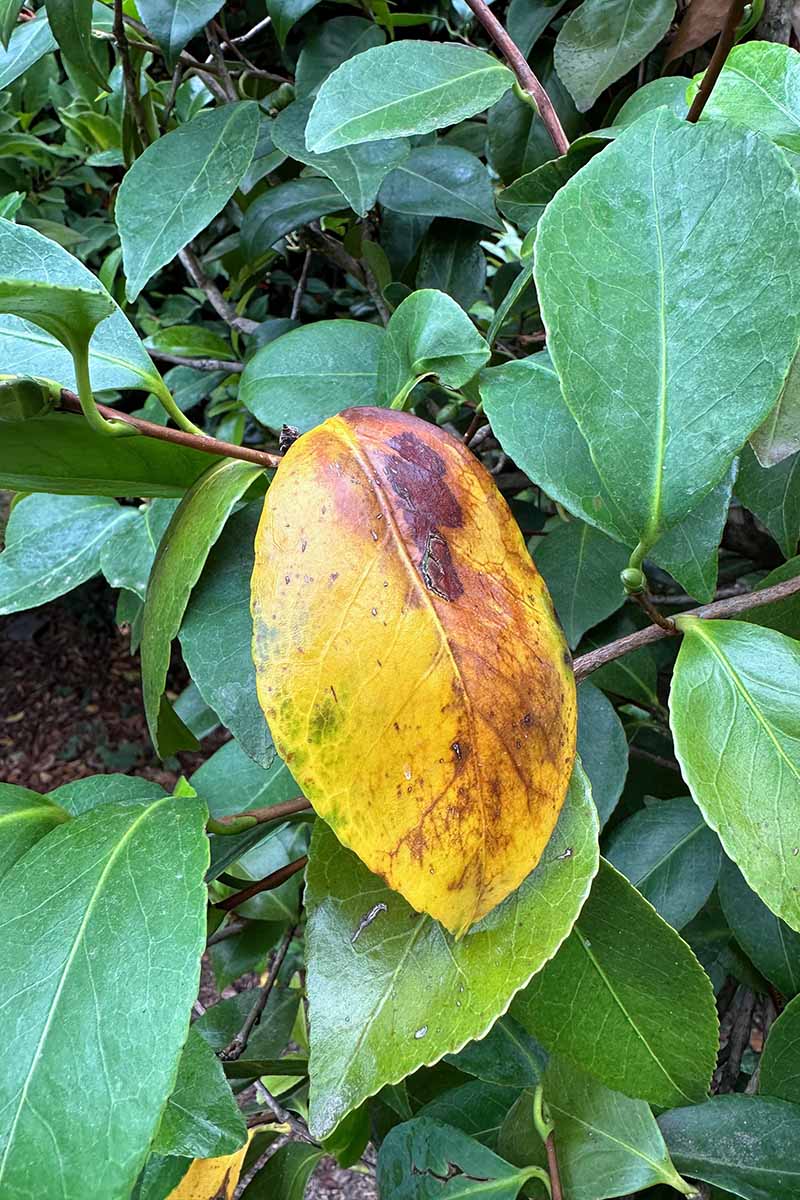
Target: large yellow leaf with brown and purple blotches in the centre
{"x":410,"y":662}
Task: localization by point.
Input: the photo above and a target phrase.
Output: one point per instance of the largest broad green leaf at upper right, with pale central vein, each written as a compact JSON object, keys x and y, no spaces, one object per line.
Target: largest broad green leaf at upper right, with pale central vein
{"x":629,"y":308}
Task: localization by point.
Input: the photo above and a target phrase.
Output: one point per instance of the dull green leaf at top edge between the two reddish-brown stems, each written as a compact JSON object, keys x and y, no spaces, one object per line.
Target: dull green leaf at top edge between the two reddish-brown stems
{"x":604,"y":39}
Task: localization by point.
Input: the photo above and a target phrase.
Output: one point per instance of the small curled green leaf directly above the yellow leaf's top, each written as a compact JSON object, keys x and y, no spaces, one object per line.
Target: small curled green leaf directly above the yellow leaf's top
{"x":429,"y":335}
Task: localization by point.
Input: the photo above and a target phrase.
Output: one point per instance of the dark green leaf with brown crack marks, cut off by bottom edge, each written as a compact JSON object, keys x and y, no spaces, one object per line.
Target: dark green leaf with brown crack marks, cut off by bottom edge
{"x":417,"y":1157}
